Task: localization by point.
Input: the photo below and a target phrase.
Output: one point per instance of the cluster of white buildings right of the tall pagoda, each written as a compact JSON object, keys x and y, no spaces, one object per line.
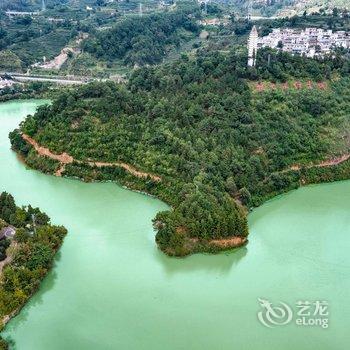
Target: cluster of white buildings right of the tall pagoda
{"x":310,"y":42}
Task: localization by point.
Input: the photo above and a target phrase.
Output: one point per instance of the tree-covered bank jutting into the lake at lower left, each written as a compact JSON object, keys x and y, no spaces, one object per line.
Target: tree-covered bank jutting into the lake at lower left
{"x":32,"y":253}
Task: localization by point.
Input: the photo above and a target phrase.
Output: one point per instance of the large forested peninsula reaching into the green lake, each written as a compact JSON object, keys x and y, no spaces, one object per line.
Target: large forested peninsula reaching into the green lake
{"x":211,"y":137}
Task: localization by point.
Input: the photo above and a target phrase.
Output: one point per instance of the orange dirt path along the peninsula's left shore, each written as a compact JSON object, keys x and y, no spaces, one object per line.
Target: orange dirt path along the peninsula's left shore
{"x":65,"y":158}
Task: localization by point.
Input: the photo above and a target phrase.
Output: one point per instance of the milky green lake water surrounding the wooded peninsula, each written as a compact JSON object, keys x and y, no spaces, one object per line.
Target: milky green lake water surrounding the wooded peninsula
{"x":112,"y":289}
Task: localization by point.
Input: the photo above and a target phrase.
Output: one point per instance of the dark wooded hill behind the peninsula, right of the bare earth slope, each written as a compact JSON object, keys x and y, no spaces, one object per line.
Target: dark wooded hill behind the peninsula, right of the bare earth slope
{"x":144,"y":40}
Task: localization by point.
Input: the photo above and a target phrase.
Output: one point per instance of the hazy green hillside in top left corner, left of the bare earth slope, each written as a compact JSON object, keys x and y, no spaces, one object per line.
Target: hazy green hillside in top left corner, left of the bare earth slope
{"x":25,"y":40}
